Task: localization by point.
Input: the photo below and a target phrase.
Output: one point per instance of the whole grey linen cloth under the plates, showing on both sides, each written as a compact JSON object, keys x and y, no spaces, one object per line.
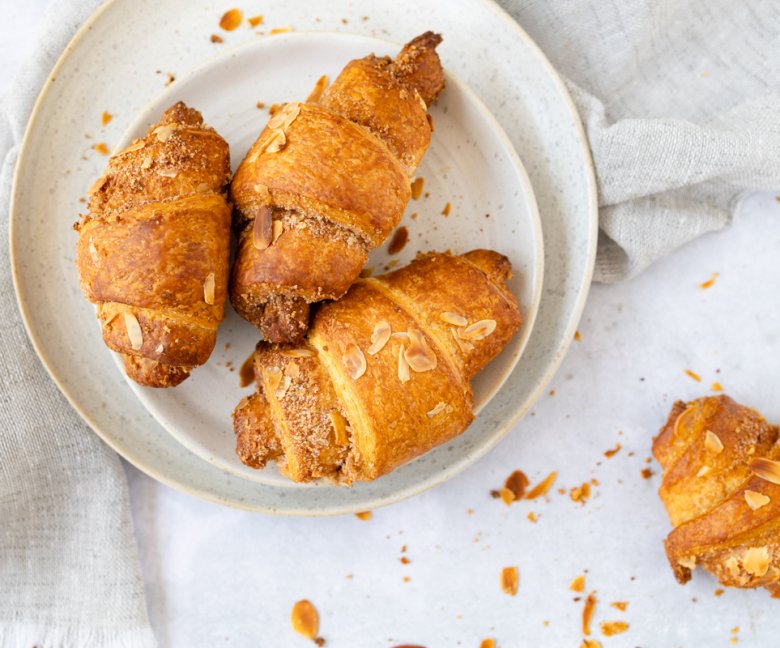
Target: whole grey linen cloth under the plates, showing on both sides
{"x":679,"y":103}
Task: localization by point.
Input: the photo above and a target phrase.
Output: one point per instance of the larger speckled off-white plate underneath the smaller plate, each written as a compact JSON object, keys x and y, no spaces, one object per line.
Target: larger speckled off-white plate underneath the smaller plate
{"x":147,"y":39}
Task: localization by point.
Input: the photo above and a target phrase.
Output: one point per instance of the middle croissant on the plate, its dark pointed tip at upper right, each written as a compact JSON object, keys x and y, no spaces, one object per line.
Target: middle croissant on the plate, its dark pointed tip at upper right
{"x":325,"y":183}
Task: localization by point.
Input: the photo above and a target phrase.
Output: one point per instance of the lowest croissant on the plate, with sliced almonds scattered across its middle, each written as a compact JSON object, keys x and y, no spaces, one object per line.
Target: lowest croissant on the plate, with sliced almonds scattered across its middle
{"x":383,"y":375}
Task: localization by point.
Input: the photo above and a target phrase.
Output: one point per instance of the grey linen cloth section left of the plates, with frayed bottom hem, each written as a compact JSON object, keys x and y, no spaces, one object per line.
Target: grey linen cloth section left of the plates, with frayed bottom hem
{"x":69,"y":569}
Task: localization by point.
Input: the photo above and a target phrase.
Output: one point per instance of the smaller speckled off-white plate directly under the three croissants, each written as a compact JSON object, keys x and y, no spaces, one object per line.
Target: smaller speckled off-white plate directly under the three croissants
{"x":470,"y":164}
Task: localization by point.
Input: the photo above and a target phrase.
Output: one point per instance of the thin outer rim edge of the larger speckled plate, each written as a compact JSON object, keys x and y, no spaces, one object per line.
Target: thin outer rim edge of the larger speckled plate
{"x":551,"y":366}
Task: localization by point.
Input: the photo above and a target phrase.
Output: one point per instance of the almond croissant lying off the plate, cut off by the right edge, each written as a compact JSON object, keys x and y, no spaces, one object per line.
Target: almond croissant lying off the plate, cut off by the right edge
{"x":721,"y":488}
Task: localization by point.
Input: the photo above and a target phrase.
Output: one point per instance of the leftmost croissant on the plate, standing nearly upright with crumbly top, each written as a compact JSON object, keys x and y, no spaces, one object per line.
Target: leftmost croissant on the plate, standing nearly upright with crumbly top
{"x":153,"y":252}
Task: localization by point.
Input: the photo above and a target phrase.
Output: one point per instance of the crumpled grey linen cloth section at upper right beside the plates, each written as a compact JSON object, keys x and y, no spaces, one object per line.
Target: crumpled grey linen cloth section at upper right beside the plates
{"x":680,"y":102}
